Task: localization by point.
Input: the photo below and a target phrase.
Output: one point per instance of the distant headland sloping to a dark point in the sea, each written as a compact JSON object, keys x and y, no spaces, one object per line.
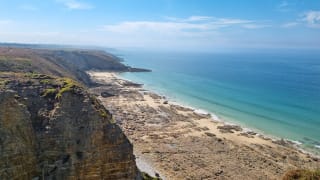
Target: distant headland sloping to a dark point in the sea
{"x":60,"y":62}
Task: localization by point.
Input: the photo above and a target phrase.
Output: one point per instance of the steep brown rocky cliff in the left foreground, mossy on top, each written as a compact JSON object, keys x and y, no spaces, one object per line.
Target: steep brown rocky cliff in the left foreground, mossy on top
{"x":52,"y":128}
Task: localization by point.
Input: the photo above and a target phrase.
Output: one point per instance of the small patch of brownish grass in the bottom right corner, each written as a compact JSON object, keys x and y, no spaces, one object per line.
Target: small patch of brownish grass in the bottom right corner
{"x":302,"y":174}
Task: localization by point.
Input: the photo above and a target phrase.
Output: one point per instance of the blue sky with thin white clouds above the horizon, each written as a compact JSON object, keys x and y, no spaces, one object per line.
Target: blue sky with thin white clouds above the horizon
{"x":163,"y":24}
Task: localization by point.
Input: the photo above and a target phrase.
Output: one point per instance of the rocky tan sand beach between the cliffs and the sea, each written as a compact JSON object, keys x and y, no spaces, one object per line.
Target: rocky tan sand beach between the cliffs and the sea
{"x":175,"y":142}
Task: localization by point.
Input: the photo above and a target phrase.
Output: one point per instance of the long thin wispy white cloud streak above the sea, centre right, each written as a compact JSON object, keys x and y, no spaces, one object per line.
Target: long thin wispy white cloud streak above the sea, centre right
{"x":194,"y":23}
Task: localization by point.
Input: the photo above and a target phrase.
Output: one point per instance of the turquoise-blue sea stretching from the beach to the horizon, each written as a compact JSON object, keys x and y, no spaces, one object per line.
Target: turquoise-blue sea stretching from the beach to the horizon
{"x":274,"y":93}
